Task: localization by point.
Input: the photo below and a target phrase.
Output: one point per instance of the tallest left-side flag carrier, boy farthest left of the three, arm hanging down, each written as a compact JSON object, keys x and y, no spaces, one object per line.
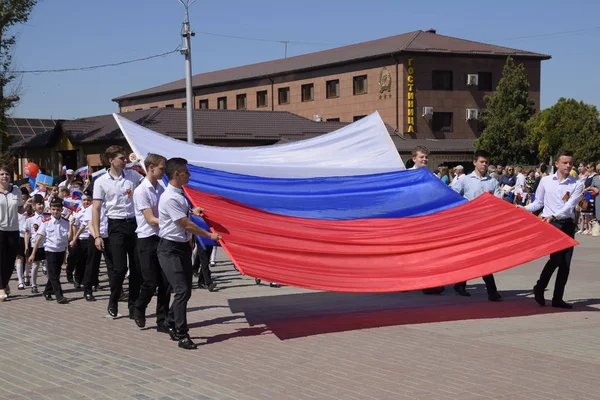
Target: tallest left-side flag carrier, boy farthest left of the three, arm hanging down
{"x":115,"y":190}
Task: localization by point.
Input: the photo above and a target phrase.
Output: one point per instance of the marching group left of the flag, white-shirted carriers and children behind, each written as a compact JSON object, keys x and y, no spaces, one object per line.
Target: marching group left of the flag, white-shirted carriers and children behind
{"x":139,"y":225}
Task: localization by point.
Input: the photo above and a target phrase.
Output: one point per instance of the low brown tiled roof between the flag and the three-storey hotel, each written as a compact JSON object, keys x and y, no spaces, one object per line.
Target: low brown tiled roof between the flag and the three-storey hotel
{"x":221,"y":125}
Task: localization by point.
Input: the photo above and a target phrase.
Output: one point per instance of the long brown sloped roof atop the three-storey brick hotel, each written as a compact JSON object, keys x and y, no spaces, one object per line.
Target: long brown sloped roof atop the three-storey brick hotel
{"x":411,"y":42}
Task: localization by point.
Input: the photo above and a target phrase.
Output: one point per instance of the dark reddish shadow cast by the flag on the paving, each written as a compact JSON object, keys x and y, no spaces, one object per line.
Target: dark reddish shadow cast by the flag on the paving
{"x":307,"y":314}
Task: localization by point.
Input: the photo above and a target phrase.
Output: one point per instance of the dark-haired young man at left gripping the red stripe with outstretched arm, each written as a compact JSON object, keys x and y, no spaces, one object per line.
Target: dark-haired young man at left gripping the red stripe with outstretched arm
{"x":174,"y":250}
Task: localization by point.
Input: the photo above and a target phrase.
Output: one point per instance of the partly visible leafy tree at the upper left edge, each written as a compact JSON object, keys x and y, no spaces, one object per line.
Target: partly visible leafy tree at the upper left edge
{"x":12,"y":12}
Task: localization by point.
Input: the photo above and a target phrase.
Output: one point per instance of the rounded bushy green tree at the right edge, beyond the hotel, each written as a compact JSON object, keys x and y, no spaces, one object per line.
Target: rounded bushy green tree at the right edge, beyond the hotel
{"x":569,"y":124}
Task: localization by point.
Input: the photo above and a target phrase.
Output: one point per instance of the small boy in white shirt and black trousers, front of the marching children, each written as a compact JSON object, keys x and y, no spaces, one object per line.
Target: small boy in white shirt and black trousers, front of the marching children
{"x":54,"y":230}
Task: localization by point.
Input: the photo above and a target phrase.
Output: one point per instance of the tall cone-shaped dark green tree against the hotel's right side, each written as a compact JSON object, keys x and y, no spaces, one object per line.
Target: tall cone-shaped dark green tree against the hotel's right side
{"x":505,"y":118}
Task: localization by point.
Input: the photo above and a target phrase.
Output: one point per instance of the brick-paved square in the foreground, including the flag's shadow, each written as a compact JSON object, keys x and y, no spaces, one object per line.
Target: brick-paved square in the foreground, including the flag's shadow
{"x":259,"y":342}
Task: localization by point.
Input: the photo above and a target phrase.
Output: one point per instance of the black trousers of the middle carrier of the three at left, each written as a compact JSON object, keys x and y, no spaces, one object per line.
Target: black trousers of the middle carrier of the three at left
{"x":152,"y":278}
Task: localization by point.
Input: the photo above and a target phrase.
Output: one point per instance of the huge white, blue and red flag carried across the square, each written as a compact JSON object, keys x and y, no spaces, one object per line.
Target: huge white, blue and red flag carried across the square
{"x":350,"y":219}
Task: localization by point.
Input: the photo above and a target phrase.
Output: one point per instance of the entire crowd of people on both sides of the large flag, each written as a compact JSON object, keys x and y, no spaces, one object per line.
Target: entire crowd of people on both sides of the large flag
{"x":142,"y":229}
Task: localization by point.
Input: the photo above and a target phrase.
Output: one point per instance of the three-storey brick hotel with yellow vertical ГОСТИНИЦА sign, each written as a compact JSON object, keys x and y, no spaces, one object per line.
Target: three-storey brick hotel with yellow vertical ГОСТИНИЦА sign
{"x":426,"y":86}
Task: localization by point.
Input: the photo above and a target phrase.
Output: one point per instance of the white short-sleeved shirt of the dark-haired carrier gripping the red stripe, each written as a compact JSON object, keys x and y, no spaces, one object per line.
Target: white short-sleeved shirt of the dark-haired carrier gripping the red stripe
{"x":172,"y":207}
